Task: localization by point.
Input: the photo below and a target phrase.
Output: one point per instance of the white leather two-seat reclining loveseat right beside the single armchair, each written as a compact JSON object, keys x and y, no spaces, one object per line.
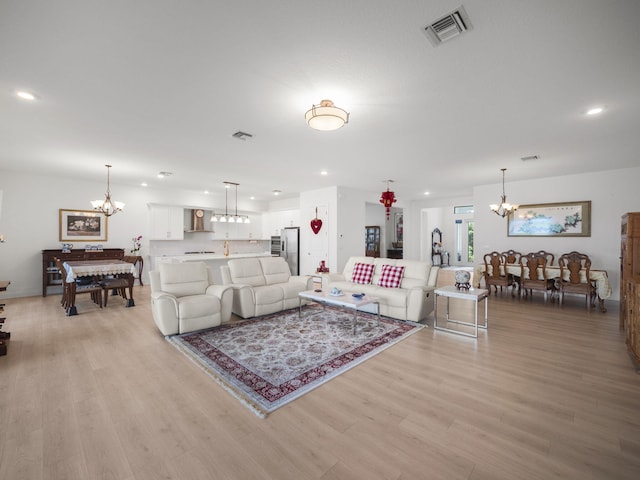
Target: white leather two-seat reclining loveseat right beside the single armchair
{"x":263,"y":285}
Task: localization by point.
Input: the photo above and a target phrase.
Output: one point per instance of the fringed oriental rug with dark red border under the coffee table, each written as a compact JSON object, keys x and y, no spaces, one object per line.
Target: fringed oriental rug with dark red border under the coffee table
{"x":266,"y":362}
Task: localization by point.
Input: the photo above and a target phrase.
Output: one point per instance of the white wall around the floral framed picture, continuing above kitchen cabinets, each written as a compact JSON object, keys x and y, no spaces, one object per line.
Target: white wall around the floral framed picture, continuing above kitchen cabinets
{"x":30,"y":220}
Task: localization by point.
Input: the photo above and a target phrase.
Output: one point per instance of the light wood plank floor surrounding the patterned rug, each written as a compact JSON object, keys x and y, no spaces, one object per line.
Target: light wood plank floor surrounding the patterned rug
{"x":545,"y":393}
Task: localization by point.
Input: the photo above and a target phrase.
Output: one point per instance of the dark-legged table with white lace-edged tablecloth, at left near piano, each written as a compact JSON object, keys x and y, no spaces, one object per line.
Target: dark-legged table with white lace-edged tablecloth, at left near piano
{"x":97,"y":269}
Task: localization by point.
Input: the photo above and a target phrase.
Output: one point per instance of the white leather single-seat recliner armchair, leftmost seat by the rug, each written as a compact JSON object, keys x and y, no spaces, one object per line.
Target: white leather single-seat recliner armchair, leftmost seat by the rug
{"x":184,"y":298}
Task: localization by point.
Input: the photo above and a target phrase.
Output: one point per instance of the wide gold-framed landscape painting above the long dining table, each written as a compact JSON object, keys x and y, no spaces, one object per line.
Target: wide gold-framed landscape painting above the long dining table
{"x":564,"y":219}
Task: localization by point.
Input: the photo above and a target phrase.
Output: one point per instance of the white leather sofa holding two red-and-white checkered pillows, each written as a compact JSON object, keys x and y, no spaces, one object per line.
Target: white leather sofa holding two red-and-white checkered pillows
{"x":412,"y":300}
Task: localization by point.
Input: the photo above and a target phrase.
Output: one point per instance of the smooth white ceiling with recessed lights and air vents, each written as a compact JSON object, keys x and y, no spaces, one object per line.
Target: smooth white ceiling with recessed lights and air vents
{"x":153,"y":85}
